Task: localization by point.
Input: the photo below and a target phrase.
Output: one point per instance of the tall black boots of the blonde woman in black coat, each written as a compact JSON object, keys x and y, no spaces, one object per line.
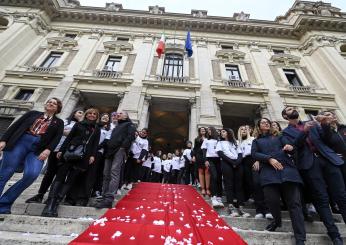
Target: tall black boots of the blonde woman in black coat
{"x":51,"y":208}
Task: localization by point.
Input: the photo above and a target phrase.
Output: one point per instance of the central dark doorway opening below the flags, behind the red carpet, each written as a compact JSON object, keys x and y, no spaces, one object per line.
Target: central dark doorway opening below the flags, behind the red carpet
{"x":168,"y":124}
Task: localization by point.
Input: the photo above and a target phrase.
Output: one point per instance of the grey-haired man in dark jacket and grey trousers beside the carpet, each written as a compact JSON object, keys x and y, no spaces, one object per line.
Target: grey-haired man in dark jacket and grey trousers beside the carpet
{"x":118,"y":145}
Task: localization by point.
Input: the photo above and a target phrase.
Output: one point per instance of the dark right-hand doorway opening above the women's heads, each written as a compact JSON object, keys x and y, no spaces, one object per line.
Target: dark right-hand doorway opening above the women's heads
{"x":234,"y":115}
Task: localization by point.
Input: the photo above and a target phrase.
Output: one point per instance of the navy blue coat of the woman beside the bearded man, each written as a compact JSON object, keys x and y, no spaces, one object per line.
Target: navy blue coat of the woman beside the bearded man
{"x":269,"y":146}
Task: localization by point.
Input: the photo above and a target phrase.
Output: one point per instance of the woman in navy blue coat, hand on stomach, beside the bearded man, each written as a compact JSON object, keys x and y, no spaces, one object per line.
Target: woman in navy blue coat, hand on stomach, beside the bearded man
{"x":278,"y":174}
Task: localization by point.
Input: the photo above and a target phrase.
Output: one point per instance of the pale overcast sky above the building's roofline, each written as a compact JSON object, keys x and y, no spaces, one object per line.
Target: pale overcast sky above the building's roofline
{"x":258,"y":9}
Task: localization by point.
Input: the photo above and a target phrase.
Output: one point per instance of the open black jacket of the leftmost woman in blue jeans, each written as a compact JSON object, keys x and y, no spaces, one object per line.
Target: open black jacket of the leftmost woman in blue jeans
{"x":48,"y":140}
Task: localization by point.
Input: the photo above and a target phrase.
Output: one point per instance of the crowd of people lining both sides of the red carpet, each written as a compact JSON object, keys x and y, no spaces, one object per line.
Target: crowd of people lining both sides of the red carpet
{"x":300,"y":168}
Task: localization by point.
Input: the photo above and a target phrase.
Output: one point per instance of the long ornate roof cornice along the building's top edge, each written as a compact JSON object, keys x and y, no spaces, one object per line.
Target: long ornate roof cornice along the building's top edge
{"x":303,"y":22}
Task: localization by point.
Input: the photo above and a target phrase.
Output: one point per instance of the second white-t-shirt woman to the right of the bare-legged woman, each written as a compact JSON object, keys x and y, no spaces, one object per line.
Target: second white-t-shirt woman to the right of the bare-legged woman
{"x":232,"y":172}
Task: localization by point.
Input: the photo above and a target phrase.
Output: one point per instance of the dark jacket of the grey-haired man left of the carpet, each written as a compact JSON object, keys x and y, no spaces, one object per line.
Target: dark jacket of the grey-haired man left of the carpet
{"x":122,"y":136}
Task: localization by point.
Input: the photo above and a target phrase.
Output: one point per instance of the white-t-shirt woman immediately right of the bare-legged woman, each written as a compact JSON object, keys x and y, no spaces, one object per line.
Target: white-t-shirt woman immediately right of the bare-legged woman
{"x":214,"y":165}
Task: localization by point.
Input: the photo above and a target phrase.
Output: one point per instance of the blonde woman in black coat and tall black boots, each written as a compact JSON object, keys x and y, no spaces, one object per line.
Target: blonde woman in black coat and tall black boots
{"x":87,"y":134}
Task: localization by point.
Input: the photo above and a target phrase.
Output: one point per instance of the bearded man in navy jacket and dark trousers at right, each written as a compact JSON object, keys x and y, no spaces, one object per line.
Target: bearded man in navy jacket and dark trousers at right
{"x":320,"y":168}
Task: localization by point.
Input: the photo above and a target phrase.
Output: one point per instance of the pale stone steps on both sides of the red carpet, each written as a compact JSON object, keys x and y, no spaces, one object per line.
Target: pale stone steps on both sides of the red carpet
{"x":26,"y":226}
